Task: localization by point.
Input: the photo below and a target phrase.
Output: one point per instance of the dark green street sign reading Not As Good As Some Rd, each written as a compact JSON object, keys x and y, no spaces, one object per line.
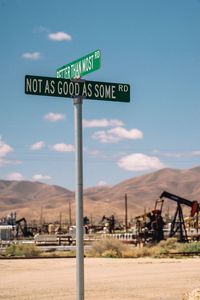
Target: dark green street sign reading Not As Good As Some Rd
{"x":58,"y":87}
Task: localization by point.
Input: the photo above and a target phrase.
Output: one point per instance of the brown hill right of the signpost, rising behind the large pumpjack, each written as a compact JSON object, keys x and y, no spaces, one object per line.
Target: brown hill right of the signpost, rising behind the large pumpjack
{"x":144,"y":190}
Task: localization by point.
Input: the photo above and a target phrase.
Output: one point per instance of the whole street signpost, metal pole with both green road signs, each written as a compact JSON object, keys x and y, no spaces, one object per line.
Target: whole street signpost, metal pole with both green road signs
{"x":66,"y":85}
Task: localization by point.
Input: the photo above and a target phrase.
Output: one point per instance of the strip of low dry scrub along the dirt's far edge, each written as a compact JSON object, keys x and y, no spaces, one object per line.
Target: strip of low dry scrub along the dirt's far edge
{"x":110,"y":248}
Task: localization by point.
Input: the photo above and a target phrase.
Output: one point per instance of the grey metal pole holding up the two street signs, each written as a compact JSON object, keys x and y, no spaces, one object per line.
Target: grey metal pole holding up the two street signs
{"x":79,"y":199}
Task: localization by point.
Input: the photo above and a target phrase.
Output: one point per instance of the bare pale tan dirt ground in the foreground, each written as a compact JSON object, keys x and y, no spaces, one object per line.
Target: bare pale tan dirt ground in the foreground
{"x":117,"y":279}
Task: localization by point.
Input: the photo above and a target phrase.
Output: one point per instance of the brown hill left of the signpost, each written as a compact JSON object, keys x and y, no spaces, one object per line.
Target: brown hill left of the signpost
{"x":33,"y":200}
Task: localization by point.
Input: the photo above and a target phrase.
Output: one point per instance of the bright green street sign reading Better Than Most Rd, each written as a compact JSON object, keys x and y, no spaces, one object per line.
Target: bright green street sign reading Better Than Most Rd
{"x":80,"y":67}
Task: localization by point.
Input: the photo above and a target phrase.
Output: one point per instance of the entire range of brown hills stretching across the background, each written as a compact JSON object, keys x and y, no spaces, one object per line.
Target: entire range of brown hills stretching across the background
{"x":36,"y":201}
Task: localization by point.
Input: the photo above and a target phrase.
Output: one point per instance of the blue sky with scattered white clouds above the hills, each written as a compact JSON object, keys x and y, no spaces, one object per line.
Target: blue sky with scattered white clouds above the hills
{"x":152,"y":45}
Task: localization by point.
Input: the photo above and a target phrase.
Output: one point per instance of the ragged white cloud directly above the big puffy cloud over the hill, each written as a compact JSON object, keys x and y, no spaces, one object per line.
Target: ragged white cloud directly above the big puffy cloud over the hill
{"x":117,"y":134}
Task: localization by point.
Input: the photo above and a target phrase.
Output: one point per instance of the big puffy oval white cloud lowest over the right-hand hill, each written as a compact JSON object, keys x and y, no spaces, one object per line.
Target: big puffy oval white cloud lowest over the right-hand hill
{"x":140,"y":162}
